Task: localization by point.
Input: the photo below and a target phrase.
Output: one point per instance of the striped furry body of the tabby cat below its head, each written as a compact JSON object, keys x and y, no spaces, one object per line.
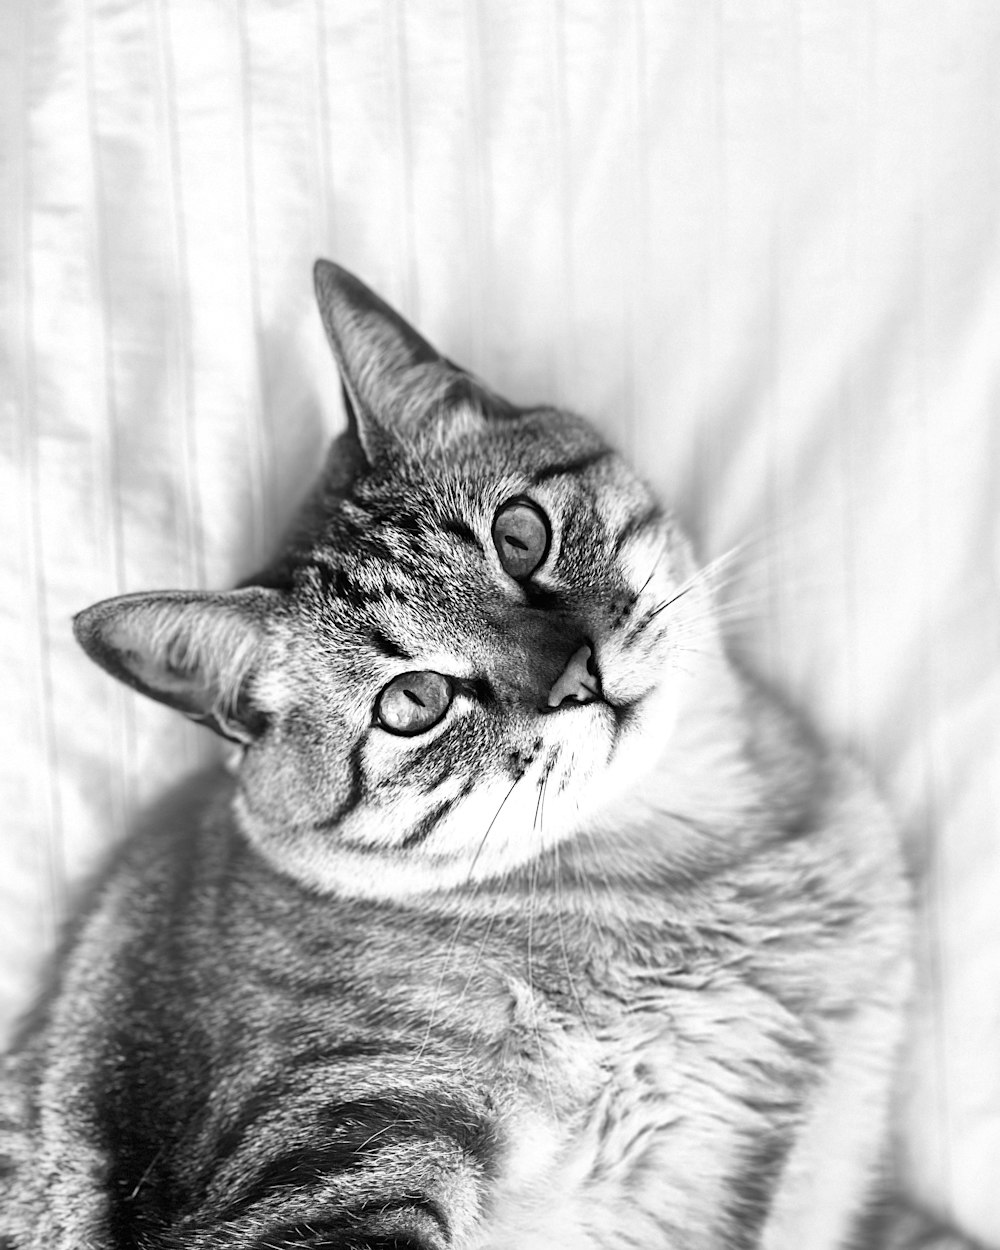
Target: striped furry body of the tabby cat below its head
{"x":638,"y":1062}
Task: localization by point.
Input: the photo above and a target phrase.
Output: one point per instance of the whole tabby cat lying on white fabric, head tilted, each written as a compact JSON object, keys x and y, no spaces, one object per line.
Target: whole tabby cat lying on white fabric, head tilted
{"x":526,"y":918}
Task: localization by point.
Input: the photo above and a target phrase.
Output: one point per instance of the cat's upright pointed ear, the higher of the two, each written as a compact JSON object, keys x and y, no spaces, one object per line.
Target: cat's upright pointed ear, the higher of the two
{"x":391,"y":373}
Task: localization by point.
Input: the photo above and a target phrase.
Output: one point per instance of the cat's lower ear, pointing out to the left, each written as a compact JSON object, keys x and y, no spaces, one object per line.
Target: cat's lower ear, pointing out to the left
{"x":197,"y":652}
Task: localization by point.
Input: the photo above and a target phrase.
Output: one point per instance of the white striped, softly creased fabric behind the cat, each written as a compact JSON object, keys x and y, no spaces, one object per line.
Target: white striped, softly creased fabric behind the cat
{"x":757,"y":239}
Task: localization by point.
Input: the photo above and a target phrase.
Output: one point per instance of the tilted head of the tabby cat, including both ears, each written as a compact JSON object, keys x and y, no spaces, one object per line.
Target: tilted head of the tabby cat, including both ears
{"x":477,"y":642}
